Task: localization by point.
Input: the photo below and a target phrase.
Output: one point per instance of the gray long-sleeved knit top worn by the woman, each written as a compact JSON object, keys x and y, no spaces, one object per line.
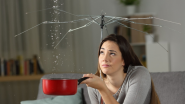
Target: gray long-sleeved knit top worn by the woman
{"x":136,"y":88}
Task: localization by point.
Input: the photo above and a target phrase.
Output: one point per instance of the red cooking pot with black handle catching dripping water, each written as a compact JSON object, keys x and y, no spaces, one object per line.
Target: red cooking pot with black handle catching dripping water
{"x":59,"y":86}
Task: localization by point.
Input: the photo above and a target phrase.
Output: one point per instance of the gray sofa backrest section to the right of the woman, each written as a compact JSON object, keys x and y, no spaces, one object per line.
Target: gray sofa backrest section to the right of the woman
{"x":170,"y":87}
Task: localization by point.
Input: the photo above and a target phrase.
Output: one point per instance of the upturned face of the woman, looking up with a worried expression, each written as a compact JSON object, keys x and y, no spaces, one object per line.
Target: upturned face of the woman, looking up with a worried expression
{"x":110,"y":58}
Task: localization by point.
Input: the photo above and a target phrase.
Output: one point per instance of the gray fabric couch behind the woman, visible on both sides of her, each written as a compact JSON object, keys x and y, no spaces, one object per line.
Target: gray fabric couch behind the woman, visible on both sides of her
{"x":170,"y":86}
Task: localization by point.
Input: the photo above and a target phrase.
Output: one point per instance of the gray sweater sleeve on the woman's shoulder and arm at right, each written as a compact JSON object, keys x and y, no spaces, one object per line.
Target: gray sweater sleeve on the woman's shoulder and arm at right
{"x":139,"y":87}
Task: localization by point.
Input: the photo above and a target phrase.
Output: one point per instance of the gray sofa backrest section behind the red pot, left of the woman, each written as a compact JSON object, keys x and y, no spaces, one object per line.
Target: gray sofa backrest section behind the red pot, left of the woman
{"x":41,"y":95}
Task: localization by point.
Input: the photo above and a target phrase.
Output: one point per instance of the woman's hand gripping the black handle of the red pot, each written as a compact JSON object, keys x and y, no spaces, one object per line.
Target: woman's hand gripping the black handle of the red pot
{"x":94,"y":82}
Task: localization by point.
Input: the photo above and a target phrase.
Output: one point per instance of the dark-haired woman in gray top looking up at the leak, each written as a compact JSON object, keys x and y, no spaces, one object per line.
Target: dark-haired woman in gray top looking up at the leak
{"x":120,"y":77}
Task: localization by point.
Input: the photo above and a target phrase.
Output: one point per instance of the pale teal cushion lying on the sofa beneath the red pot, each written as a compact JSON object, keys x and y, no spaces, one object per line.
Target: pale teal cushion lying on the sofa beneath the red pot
{"x":72,"y":99}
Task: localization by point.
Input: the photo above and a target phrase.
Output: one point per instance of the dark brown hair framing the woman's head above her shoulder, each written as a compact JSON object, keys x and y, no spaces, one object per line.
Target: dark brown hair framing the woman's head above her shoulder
{"x":126,"y":50}
